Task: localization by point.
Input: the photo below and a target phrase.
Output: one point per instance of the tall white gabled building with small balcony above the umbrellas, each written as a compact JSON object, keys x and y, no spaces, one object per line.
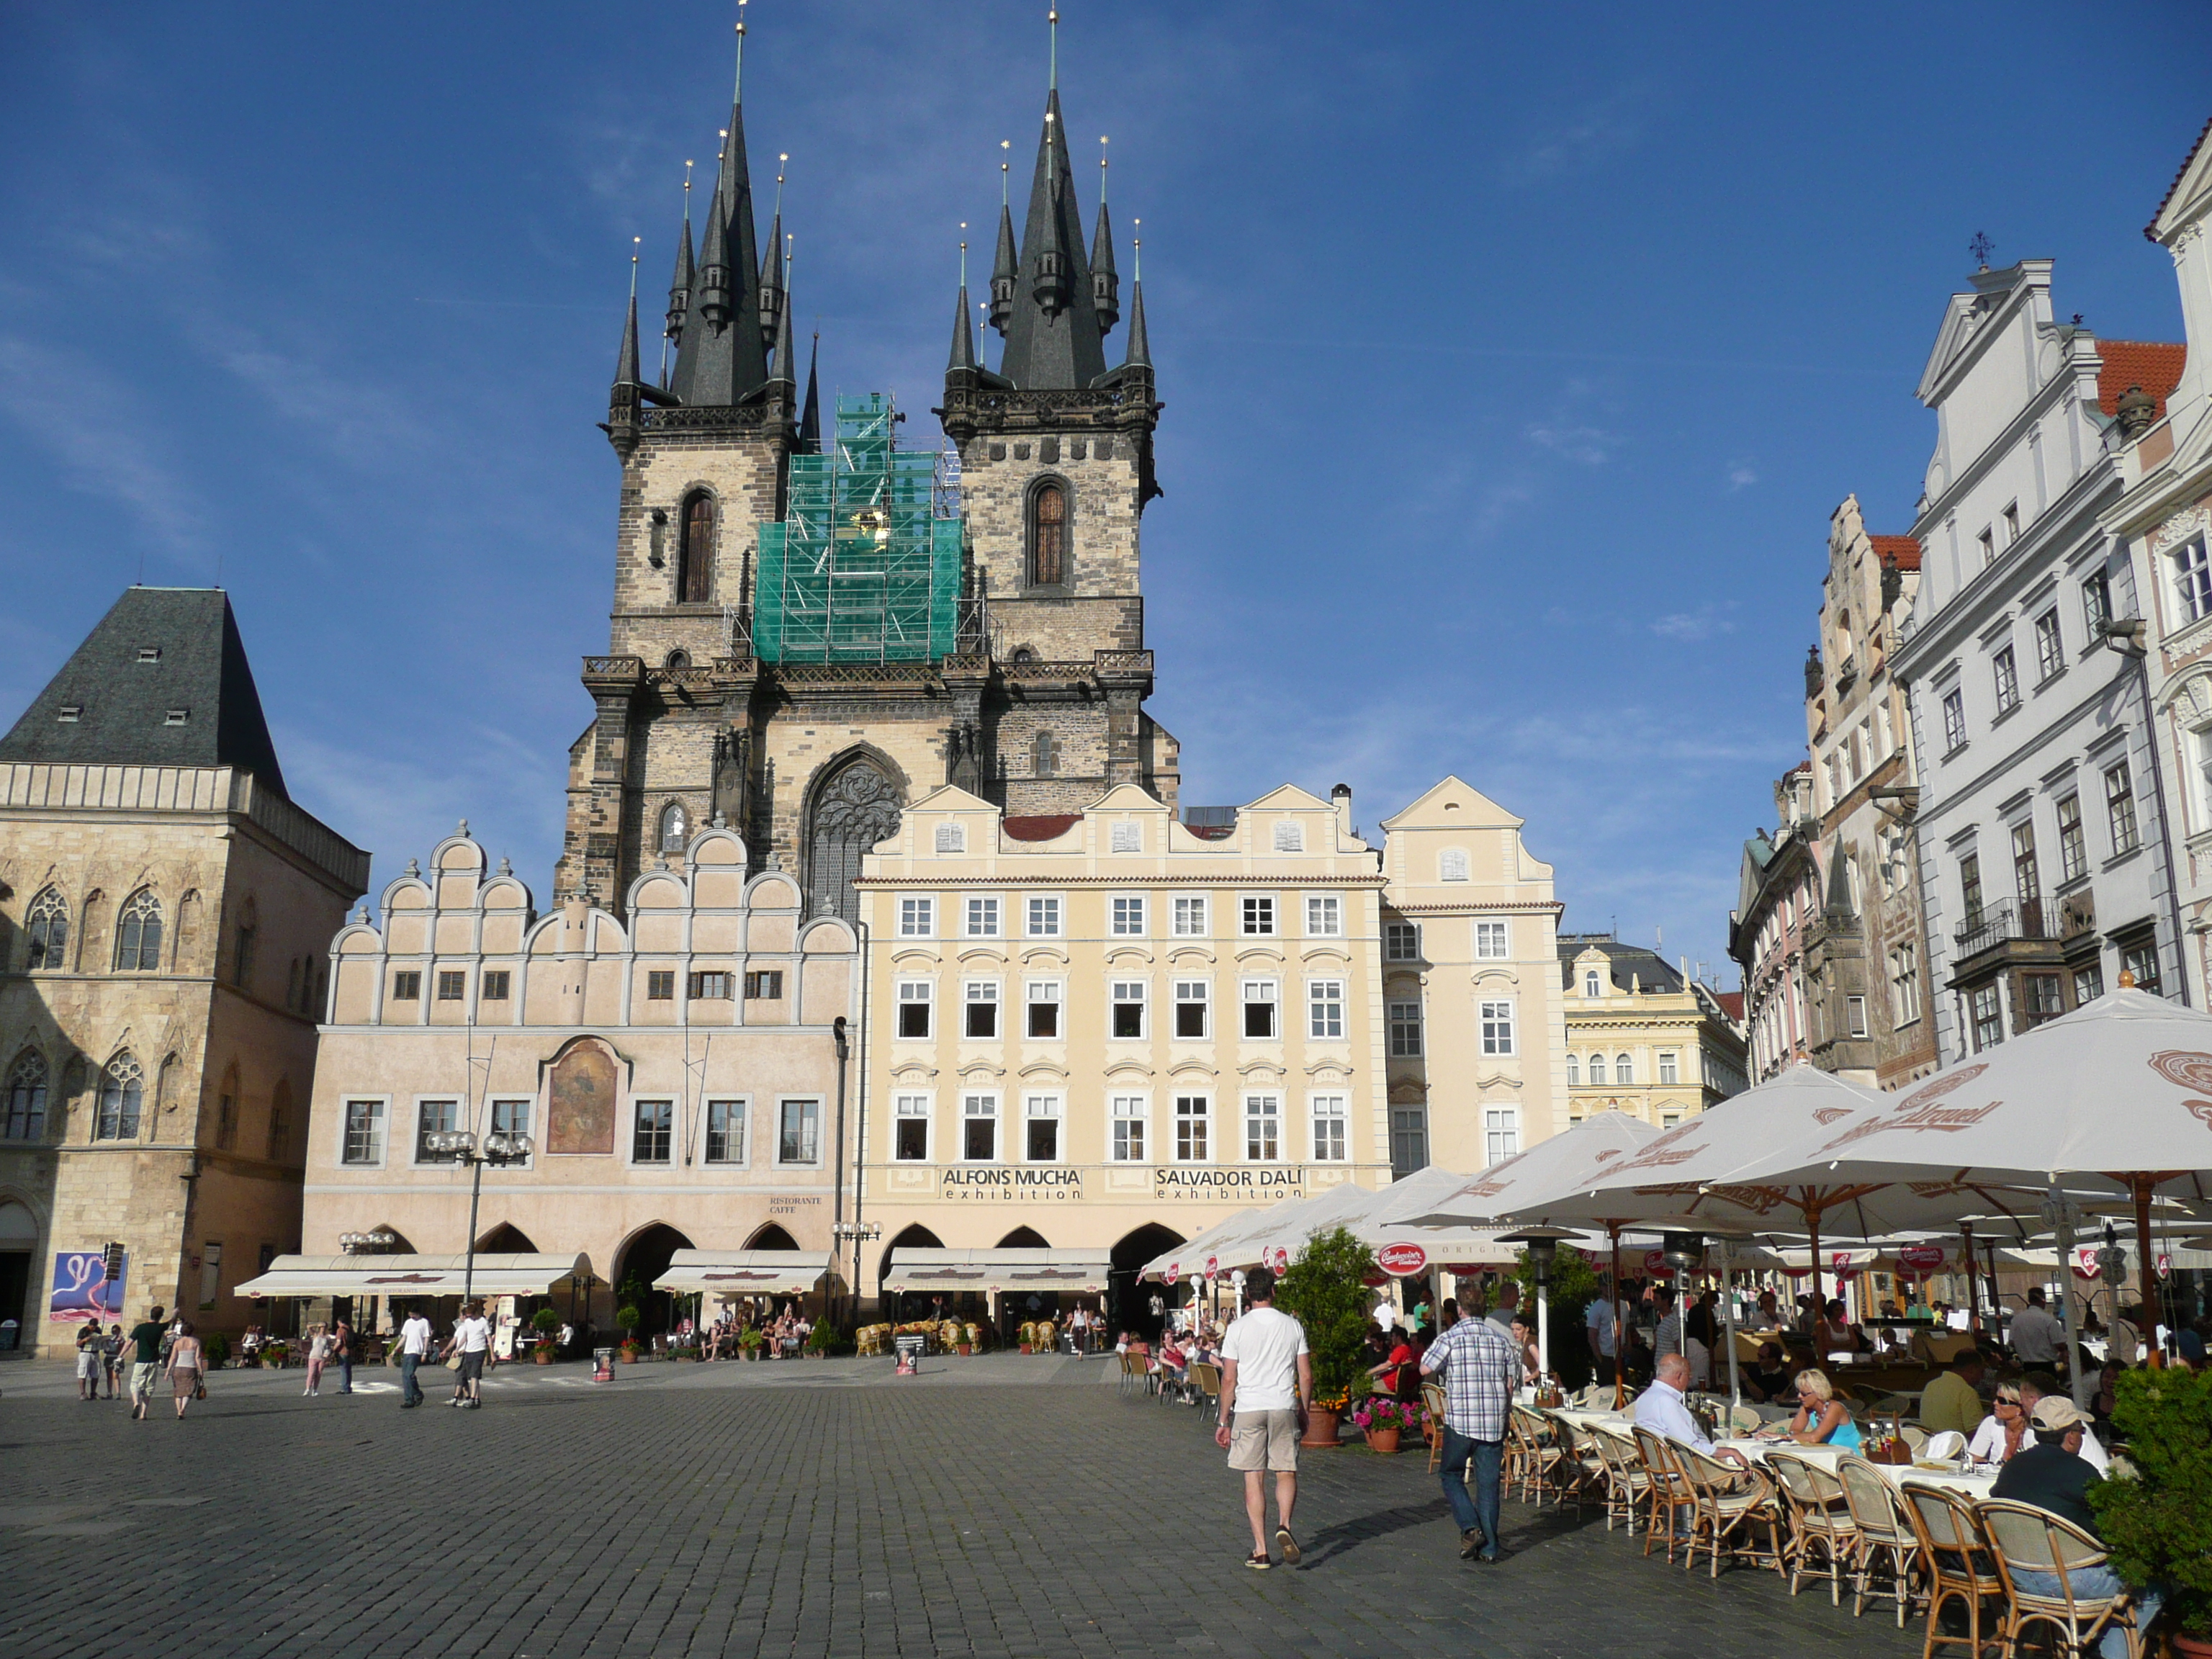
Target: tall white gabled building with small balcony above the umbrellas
{"x":2045,"y":857}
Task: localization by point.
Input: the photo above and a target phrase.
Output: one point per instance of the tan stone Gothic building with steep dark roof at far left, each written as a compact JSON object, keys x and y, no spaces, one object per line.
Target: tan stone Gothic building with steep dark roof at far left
{"x":165,"y":919}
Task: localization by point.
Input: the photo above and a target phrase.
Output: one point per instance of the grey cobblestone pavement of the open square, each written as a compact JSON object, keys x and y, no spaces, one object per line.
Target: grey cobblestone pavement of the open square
{"x":999,"y":1505}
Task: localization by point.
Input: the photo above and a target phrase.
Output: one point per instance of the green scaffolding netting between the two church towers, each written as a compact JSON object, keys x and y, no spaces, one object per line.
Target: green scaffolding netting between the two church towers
{"x":866,"y":565}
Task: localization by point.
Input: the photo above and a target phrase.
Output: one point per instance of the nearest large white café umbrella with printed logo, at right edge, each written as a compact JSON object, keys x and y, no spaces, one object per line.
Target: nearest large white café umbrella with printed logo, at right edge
{"x":2118,"y":1092}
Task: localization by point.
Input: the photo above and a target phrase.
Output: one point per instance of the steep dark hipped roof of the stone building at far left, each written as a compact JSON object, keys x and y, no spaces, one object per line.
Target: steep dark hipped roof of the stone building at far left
{"x":163,"y":680}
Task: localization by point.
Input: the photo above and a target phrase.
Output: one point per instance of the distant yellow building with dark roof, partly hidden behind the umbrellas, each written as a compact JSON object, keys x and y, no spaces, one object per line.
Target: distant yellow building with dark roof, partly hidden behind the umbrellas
{"x":1640,"y":1039}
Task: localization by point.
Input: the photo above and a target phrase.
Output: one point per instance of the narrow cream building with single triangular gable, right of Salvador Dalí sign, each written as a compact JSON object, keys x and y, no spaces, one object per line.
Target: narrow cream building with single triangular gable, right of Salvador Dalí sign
{"x":1470,"y":985}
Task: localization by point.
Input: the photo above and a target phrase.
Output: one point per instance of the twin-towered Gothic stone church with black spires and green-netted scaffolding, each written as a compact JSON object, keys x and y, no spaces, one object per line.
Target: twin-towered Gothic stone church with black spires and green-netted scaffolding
{"x":806,"y":636}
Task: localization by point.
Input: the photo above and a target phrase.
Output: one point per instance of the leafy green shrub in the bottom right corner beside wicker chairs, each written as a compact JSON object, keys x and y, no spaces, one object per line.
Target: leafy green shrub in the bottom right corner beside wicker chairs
{"x":2156,"y":1514}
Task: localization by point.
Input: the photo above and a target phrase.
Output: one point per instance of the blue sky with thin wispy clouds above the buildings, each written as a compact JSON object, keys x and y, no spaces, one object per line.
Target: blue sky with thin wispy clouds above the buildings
{"x":1514,"y":359}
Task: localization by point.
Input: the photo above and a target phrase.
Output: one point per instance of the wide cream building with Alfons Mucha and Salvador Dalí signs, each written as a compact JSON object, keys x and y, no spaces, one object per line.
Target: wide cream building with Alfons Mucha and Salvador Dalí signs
{"x":1107,"y":1030}
